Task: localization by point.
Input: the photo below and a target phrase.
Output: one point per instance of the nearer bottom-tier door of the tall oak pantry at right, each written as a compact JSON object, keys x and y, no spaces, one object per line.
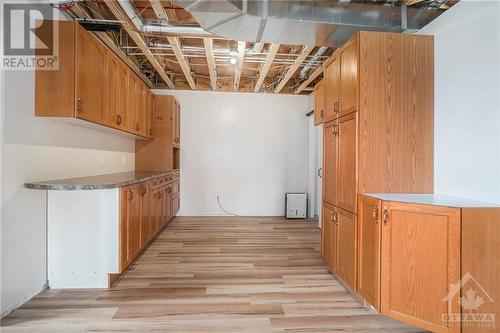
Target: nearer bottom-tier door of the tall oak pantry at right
{"x":346,"y":247}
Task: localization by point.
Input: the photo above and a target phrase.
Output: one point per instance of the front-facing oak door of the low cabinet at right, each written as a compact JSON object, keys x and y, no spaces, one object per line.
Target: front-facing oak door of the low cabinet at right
{"x":420,"y":261}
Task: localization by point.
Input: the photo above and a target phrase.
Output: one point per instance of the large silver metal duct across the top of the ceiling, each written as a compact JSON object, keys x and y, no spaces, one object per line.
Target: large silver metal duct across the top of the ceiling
{"x":303,"y":22}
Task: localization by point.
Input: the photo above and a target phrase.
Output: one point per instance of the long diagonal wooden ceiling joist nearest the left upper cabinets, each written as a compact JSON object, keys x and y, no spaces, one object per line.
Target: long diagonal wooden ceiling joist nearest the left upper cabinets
{"x":114,"y":7}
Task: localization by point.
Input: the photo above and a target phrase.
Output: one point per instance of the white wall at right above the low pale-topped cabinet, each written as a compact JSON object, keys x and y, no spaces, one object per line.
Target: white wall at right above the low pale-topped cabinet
{"x":467,"y":100}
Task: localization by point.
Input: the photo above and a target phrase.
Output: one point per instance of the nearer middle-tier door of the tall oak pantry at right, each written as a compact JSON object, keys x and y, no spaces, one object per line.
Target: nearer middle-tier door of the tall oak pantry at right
{"x":346,"y":194}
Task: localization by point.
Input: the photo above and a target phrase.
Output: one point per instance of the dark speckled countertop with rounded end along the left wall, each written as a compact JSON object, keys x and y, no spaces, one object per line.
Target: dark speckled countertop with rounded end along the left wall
{"x":100,"y":182}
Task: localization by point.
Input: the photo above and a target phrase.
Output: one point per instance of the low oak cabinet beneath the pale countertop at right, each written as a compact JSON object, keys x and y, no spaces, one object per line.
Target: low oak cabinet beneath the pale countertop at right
{"x":422,"y":260}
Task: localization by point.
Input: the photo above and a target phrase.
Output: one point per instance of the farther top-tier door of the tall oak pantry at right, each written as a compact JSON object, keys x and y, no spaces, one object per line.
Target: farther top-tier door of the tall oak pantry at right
{"x":332,"y":89}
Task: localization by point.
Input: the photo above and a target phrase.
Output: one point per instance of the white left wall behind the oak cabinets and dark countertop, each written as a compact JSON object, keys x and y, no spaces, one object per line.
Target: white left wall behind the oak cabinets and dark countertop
{"x":39,"y":149}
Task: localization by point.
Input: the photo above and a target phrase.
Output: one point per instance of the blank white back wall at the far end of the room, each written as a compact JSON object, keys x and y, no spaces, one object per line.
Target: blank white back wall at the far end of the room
{"x":249,"y":149}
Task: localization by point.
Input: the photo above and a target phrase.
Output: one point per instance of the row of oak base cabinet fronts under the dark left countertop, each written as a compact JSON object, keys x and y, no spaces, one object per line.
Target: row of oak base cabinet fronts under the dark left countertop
{"x":145,"y":208}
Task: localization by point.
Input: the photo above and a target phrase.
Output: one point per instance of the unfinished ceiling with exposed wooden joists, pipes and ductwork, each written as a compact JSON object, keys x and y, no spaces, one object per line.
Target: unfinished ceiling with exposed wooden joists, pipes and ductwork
{"x":171,"y":47}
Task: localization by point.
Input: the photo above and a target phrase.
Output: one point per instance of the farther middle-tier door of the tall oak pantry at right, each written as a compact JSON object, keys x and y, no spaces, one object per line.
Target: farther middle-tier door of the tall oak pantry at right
{"x":330,"y":138}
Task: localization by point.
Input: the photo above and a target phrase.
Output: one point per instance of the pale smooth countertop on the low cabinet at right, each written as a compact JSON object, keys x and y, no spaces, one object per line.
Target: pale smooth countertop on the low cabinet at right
{"x":433,"y":199}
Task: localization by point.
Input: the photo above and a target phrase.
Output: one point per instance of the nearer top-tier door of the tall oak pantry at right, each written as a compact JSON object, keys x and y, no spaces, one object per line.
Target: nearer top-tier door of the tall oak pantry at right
{"x":349,"y":81}
